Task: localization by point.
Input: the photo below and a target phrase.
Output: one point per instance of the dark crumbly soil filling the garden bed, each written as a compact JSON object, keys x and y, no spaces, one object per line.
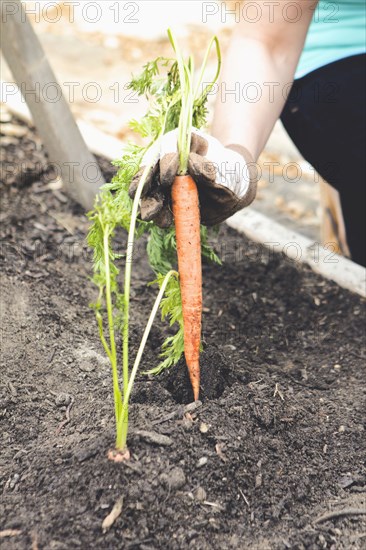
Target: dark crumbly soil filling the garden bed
{"x":278,"y":440}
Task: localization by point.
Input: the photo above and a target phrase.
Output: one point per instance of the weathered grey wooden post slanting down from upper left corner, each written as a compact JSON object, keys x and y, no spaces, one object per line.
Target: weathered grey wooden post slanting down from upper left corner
{"x":51,"y":114}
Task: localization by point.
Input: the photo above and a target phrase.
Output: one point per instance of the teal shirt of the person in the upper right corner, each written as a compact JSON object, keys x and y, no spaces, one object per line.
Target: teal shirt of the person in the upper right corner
{"x":337,"y":31}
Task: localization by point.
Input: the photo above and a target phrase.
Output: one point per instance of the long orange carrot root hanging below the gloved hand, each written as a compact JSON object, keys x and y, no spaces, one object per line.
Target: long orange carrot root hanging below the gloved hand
{"x":187,"y":225}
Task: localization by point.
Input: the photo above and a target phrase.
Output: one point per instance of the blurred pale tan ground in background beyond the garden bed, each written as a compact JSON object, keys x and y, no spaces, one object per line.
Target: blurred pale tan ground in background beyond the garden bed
{"x":94,"y":47}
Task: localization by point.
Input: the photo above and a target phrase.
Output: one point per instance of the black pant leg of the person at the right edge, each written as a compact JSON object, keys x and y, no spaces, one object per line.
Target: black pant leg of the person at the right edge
{"x":325,"y":117}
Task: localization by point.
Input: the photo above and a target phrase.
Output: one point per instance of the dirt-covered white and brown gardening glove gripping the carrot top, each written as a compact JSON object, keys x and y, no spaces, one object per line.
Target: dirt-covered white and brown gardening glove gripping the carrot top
{"x":225,"y":178}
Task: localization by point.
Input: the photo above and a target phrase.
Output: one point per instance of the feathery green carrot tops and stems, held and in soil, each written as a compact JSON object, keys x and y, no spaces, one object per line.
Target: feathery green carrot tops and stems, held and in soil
{"x":171,"y":105}
